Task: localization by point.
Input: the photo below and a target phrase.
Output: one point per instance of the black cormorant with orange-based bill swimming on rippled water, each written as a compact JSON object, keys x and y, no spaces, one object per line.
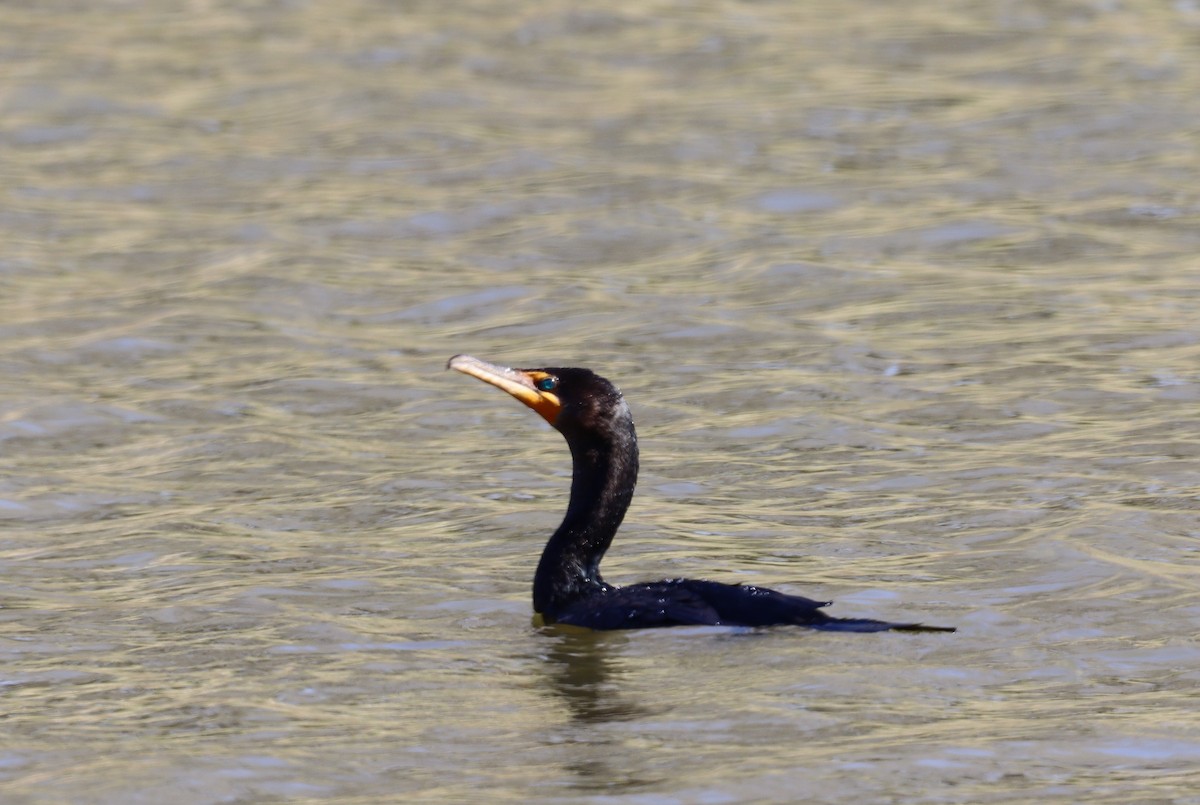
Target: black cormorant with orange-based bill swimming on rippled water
{"x":568,"y":590}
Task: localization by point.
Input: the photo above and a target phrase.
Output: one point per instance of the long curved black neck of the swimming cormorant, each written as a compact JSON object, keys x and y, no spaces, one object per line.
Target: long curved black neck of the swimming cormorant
{"x":604,"y":474}
